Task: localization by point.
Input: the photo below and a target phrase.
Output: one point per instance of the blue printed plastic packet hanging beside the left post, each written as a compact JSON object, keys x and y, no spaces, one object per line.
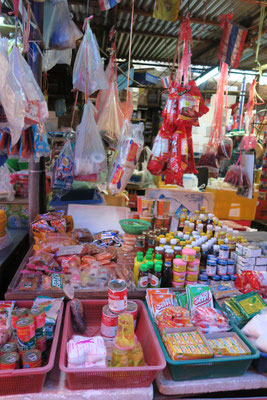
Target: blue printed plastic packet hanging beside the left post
{"x":63,"y":171}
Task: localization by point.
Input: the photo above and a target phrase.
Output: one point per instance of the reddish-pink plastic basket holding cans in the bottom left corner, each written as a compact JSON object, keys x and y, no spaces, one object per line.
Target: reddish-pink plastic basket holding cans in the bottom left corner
{"x":19,"y":381}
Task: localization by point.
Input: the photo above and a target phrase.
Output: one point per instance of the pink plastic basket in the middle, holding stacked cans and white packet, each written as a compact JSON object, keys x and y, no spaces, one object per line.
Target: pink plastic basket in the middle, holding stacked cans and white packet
{"x":106,"y":378}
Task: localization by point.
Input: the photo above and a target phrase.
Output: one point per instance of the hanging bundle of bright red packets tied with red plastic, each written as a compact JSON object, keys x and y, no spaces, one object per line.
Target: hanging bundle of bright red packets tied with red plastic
{"x":172,"y":153}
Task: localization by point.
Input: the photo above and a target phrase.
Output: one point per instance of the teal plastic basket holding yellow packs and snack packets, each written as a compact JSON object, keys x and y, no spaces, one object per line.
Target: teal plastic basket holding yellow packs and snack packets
{"x":210,"y":367}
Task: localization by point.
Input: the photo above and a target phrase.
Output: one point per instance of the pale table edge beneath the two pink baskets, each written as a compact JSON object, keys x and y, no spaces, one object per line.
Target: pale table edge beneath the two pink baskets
{"x":55,"y":389}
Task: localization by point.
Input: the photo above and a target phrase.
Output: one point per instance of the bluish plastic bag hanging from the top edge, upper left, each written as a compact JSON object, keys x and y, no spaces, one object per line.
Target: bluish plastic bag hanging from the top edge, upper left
{"x":61,"y":32}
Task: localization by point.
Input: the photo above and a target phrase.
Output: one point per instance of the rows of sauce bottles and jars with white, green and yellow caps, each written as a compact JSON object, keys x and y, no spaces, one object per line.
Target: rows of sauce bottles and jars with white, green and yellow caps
{"x":201,"y":251}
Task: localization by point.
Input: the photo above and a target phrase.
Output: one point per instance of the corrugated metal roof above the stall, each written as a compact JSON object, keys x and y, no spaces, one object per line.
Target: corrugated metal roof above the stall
{"x":155,"y":40}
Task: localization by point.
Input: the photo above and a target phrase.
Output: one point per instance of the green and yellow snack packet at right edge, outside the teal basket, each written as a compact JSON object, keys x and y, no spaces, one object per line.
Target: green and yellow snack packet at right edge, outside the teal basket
{"x":249,"y":304}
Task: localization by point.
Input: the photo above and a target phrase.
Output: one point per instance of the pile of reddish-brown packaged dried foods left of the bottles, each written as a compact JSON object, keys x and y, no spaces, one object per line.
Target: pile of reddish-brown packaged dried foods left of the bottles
{"x":63,"y":259}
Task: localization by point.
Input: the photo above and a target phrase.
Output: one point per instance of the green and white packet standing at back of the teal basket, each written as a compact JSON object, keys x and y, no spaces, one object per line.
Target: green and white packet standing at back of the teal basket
{"x":198,"y":296}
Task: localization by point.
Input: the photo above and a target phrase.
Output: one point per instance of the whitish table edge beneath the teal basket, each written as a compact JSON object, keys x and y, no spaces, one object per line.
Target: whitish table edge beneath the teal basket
{"x":251,"y":380}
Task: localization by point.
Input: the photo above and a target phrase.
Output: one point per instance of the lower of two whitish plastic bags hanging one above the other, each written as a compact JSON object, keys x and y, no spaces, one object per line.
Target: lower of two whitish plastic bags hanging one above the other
{"x":90,"y":156}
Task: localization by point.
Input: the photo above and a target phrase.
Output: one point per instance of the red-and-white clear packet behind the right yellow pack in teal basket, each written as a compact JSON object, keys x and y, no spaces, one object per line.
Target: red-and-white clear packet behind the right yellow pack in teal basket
{"x":209,"y":320}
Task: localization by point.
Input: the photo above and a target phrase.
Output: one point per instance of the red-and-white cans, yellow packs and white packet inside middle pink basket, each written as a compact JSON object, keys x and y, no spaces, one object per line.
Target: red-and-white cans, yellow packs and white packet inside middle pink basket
{"x":118,"y":346}
